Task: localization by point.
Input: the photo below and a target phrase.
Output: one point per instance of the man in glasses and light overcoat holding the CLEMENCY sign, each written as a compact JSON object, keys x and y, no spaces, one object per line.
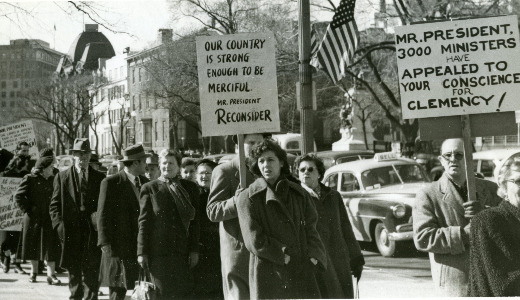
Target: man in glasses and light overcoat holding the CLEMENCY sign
{"x":442,"y":216}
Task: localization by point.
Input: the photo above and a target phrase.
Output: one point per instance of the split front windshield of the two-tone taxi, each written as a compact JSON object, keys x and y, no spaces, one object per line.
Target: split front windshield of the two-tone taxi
{"x":394,"y":174}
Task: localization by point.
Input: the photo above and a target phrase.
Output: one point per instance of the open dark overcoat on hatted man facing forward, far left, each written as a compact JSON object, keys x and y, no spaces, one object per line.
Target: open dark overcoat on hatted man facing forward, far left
{"x":65,"y":214}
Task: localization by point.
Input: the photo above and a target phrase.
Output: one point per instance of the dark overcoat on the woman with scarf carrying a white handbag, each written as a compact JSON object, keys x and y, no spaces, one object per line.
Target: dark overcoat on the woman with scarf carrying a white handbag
{"x":164,"y":238}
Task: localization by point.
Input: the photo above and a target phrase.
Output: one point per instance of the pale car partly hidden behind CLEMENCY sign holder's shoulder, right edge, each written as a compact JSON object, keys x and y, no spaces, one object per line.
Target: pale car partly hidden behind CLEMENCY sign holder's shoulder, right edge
{"x":489,"y":162}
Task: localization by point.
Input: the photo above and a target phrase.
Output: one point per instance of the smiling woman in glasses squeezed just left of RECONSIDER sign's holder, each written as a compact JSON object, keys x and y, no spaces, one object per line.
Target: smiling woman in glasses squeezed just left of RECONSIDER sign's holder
{"x":208,"y":278}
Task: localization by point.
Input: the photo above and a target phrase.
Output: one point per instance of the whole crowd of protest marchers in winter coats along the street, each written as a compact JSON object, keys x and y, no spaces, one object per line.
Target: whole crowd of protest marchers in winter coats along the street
{"x":195,"y":231}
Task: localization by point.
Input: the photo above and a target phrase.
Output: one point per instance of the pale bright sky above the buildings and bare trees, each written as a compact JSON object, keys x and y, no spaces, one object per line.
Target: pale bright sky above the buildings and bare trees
{"x":36,"y":20}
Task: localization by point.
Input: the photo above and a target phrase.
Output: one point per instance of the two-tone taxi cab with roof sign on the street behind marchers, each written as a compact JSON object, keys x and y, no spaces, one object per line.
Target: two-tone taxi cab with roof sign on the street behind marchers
{"x":378,"y":195}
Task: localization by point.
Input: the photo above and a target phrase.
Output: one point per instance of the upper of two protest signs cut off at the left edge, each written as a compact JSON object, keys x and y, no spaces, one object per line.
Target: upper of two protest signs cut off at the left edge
{"x":12,"y":134}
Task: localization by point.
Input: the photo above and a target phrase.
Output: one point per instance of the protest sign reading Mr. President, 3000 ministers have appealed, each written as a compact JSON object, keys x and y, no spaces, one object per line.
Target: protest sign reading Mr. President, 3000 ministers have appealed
{"x":459,"y":67}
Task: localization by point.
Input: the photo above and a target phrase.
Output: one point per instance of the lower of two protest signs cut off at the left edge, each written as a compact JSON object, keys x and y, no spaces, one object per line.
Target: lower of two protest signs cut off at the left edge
{"x":10,"y":216}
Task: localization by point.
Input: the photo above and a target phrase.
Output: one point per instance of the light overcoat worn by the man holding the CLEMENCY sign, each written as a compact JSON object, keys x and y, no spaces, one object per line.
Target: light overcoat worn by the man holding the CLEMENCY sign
{"x":438,"y":222}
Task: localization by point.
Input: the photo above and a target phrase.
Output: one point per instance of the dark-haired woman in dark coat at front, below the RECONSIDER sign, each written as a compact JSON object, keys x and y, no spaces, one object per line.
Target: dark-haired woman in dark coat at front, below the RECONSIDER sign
{"x":278,"y":222}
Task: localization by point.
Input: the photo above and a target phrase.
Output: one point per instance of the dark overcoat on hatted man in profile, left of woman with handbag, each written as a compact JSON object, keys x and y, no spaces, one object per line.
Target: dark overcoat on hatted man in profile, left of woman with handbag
{"x":118,"y":211}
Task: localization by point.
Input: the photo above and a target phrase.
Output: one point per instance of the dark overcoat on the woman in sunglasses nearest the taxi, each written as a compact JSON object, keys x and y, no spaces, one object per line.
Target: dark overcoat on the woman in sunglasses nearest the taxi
{"x":340,"y":243}
